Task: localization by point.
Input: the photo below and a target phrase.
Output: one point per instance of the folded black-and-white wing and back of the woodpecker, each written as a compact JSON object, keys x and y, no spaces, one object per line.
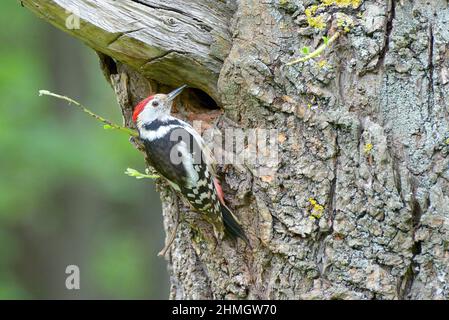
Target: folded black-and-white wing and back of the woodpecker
{"x":176,"y":151}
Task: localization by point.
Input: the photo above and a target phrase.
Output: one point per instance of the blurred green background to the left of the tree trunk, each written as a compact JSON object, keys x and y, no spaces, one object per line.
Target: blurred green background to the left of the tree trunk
{"x":63,"y":196}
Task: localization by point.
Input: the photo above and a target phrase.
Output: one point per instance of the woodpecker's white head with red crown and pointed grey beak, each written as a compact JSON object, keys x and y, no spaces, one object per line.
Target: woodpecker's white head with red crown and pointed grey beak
{"x":155,"y":107}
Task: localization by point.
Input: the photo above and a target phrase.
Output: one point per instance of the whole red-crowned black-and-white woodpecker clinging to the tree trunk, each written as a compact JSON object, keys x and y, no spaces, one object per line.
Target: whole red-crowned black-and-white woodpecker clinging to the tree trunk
{"x":180,"y":155}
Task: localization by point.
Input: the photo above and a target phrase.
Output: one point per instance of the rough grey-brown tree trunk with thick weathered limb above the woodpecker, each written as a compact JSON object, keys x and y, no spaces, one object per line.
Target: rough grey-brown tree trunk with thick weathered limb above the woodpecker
{"x":365,"y":135}
